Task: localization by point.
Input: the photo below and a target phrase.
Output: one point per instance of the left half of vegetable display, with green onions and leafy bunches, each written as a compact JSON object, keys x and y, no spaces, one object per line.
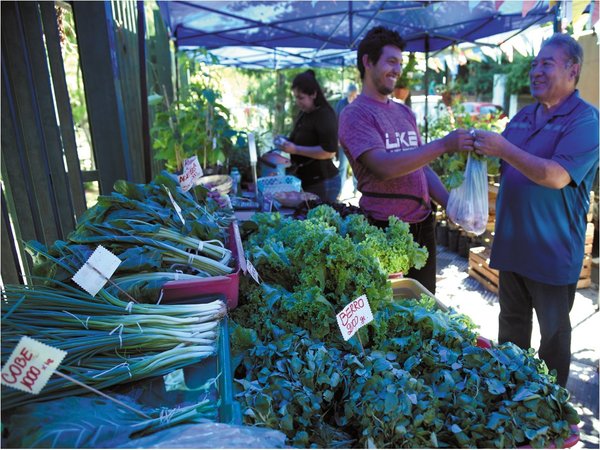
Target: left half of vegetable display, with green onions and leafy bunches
{"x":122,"y":334}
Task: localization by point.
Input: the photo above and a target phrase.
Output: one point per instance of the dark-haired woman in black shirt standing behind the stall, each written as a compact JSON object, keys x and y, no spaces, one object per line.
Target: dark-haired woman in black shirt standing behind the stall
{"x":313,"y":141}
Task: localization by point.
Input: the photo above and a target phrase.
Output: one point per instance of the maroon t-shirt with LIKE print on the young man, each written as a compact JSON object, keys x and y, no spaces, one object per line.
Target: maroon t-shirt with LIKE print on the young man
{"x":369,"y":125}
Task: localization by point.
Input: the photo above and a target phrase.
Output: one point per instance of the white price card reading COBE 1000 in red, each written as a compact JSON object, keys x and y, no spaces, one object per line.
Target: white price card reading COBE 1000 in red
{"x":31,"y":365}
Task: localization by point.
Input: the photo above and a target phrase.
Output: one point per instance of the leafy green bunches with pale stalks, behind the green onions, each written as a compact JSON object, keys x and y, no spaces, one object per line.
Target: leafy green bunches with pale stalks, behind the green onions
{"x":155,"y":242}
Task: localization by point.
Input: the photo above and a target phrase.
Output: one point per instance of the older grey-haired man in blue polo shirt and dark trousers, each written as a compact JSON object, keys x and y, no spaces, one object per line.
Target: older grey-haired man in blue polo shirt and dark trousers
{"x":549,"y":153}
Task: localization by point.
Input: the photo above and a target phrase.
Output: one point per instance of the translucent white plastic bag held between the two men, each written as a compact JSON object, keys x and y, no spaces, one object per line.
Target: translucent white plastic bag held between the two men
{"x":468,"y":203}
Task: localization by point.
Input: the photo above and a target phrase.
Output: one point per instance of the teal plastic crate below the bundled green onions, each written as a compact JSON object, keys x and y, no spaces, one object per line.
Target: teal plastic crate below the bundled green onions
{"x":151,"y":392}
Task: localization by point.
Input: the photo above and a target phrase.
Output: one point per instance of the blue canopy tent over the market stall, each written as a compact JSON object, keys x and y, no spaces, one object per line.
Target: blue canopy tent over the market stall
{"x":280,"y":34}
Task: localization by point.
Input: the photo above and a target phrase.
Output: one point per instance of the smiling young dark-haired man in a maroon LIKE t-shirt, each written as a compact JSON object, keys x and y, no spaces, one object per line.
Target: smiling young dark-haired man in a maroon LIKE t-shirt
{"x":386,"y":153}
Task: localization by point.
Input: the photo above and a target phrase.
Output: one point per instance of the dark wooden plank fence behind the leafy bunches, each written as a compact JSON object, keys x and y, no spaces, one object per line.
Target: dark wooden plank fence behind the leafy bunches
{"x":42,"y":184}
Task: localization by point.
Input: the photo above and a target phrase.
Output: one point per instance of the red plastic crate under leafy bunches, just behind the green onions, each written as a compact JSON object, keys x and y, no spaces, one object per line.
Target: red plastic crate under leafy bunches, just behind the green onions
{"x":227,"y":285}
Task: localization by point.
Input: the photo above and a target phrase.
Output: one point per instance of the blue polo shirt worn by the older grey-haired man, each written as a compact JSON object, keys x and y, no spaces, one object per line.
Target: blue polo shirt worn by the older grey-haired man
{"x":540,"y":232}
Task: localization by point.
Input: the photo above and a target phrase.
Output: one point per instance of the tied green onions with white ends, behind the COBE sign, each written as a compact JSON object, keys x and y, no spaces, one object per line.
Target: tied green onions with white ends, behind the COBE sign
{"x":108,"y":341}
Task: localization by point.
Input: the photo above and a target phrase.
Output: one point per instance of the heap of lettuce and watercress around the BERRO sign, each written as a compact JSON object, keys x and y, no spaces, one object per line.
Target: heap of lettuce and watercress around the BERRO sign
{"x":414,"y":379}
